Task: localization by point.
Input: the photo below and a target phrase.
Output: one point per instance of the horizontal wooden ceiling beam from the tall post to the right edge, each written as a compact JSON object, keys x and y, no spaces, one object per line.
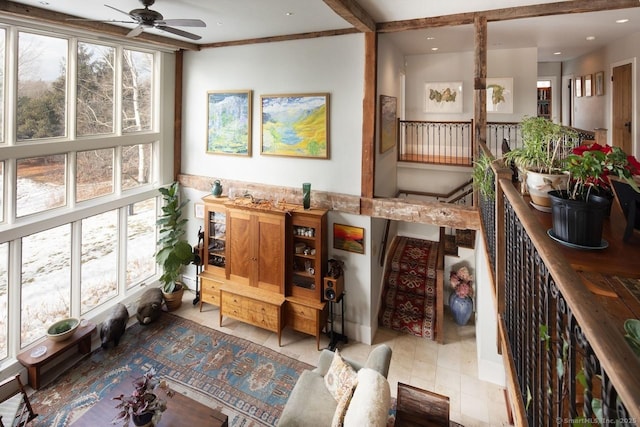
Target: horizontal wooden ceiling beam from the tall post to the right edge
{"x":520,"y":12}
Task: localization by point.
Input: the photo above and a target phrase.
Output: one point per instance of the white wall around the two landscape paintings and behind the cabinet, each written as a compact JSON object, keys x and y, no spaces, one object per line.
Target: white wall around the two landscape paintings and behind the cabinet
{"x":334,"y":65}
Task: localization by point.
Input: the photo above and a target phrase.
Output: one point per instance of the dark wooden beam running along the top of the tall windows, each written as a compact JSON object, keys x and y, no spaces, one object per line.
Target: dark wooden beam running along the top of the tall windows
{"x":22,"y":11}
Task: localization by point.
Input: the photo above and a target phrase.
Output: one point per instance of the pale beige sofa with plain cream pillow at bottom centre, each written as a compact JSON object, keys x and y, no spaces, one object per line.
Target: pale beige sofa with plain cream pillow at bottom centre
{"x":311,"y":404}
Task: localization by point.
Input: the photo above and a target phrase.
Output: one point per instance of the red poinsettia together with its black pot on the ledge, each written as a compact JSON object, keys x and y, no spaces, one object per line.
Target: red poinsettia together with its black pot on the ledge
{"x":578,"y":212}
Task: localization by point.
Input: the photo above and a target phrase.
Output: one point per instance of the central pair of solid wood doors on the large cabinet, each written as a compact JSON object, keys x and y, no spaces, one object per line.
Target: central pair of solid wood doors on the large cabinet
{"x":257,"y":245}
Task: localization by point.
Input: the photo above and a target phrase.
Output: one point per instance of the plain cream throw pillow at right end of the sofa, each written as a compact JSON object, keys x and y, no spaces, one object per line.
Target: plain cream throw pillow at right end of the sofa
{"x":371,"y":401}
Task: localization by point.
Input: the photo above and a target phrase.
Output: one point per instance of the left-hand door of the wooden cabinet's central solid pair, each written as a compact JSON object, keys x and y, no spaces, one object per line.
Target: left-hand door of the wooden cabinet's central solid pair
{"x":240,"y":265}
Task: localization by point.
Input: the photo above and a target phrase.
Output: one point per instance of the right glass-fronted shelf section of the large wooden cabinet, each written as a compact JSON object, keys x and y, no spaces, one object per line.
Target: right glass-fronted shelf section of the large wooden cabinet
{"x":309,"y":254}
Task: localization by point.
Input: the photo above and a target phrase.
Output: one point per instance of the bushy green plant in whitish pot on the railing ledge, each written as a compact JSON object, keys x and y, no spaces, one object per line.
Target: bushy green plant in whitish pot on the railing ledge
{"x":544,"y":146}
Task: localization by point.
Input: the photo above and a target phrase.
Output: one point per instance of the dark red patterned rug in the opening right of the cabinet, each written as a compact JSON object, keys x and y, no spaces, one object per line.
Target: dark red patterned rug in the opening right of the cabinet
{"x":408,"y":297}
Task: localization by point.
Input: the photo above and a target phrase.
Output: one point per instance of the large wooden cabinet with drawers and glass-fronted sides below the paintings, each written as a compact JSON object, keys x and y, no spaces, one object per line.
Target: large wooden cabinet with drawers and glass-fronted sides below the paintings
{"x":265,"y":265}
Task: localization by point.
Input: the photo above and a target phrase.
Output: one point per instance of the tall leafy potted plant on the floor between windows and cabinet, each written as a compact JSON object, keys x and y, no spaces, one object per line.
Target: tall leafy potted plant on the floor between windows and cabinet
{"x":174,"y":251}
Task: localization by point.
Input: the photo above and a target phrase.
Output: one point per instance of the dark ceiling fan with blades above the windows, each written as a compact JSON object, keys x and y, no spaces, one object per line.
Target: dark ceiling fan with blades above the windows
{"x":147,"y":18}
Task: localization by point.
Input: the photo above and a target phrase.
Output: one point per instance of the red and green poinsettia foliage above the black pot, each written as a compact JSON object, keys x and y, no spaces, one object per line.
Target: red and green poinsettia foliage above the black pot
{"x":591,"y":165}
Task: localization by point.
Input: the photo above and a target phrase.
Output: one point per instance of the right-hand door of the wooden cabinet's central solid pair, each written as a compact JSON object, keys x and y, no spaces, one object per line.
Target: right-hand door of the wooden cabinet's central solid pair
{"x":270,"y":263}
